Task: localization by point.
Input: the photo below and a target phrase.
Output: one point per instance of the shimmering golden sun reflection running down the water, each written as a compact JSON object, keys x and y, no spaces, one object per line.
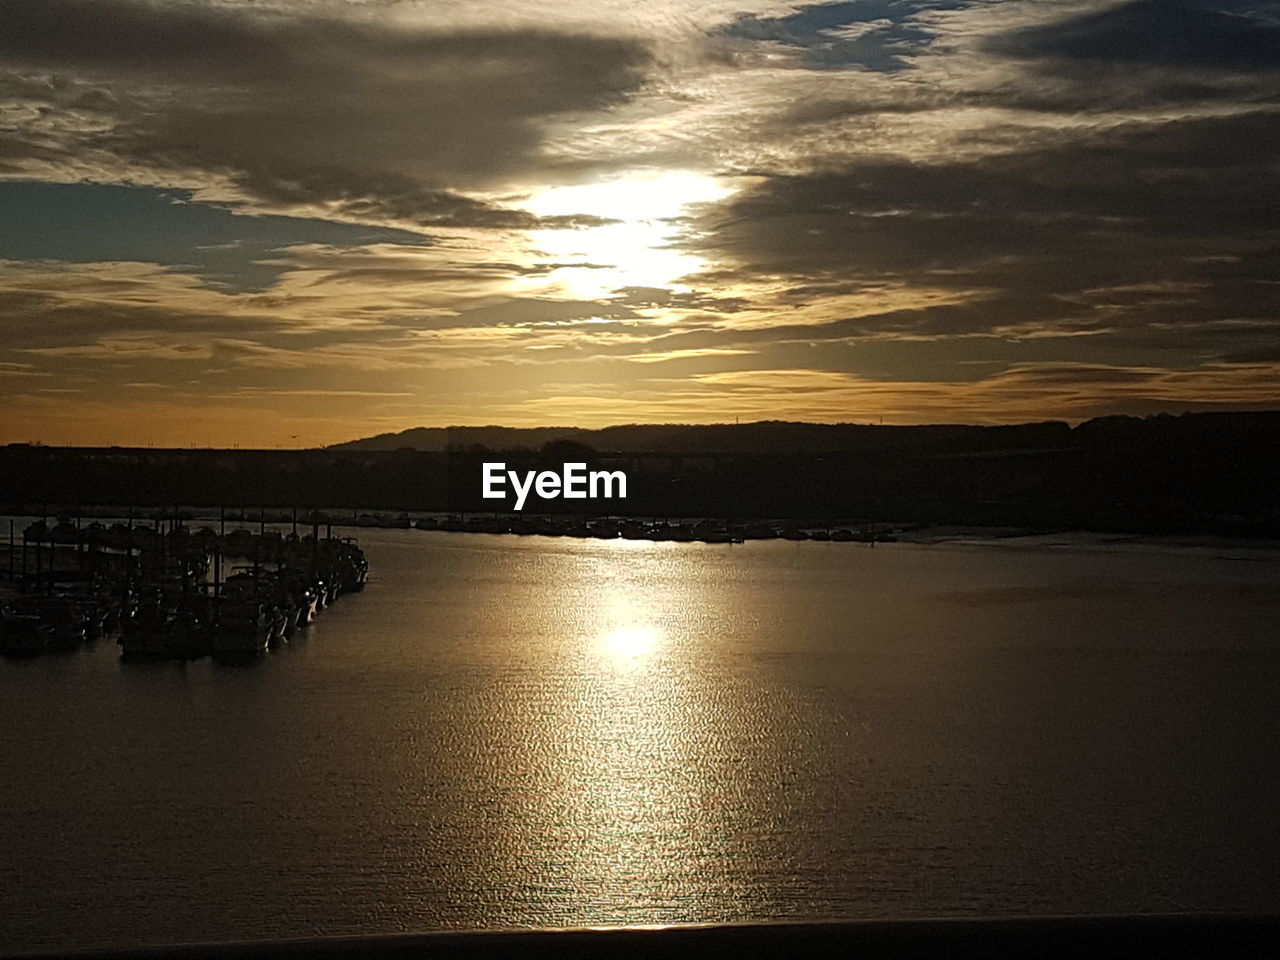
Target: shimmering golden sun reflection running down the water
{"x":628,"y":783}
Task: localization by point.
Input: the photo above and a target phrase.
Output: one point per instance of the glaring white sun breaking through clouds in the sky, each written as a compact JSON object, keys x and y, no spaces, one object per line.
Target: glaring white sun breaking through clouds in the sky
{"x":638,"y":248}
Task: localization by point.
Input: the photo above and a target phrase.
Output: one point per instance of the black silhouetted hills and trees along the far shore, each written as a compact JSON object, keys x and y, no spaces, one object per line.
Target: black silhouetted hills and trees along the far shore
{"x":1204,"y":473}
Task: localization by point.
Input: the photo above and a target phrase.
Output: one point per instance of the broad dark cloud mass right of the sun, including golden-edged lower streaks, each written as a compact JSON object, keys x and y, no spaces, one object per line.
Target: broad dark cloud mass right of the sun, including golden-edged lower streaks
{"x":1150,"y":227}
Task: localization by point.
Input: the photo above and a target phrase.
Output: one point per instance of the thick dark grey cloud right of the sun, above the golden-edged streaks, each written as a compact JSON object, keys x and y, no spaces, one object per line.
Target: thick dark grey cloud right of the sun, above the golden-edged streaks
{"x":1190,"y":180}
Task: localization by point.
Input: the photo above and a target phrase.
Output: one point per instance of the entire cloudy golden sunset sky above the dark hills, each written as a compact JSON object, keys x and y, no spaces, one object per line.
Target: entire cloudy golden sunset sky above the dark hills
{"x":290,"y":223}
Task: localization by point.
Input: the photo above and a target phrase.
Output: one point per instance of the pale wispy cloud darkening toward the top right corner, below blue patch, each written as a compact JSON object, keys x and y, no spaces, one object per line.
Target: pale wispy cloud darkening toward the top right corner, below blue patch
{"x":996,"y":77}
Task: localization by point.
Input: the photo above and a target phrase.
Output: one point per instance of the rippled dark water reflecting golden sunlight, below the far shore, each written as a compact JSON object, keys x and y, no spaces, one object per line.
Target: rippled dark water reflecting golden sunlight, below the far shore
{"x":529,"y":732}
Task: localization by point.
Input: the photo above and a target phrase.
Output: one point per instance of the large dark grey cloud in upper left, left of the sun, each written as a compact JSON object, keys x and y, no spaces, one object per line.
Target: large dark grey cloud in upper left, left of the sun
{"x":377,"y":121}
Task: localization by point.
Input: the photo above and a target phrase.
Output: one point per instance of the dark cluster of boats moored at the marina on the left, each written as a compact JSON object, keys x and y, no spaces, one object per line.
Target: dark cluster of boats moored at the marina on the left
{"x":171,"y":591}
